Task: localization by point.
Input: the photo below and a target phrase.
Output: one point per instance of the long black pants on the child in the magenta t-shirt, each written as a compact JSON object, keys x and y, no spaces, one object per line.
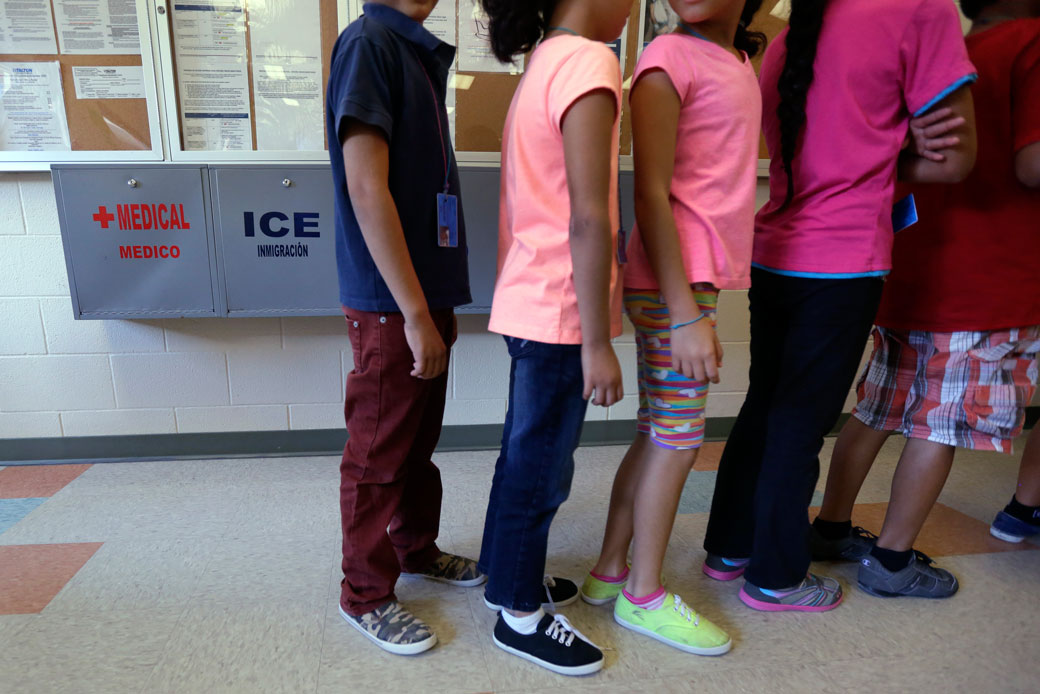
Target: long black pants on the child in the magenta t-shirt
{"x":808,"y":339}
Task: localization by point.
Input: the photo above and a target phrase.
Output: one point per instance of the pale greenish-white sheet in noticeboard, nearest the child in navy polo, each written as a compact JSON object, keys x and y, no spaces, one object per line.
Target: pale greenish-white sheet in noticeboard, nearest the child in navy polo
{"x":287,"y":46}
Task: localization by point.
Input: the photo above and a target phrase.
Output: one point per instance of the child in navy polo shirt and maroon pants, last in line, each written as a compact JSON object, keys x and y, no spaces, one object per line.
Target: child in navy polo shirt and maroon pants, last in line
{"x":397,"y":188}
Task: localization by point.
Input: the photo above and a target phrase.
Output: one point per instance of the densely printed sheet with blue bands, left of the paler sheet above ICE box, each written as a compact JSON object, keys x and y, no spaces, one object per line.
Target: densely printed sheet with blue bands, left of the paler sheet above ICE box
{"x":210,"y":43}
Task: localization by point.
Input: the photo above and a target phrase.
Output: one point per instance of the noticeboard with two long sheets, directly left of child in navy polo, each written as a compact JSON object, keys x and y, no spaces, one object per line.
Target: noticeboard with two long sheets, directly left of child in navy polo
{"x":280,"y":100}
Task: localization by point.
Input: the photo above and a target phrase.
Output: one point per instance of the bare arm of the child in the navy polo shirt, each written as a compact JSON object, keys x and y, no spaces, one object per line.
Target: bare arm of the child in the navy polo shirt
{"x":367,"y":156}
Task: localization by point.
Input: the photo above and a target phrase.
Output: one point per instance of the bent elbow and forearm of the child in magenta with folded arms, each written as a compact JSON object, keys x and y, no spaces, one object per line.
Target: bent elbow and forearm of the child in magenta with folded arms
{"x":957,"y":161}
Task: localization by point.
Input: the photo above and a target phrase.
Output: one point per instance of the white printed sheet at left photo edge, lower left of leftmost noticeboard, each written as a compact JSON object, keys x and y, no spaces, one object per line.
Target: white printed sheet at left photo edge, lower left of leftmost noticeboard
{"x":33,"y":116}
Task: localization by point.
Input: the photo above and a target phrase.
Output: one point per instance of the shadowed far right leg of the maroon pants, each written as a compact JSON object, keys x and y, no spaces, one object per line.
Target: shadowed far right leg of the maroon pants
{"x":418,"y":522}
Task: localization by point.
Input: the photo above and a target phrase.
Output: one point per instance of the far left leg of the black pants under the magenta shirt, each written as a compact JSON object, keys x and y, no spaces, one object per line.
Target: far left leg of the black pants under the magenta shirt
{"x":731,"y":531}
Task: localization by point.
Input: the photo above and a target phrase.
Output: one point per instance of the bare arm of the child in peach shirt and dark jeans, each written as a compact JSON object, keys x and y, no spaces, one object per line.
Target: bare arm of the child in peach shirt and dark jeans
{"x":588,"y":130}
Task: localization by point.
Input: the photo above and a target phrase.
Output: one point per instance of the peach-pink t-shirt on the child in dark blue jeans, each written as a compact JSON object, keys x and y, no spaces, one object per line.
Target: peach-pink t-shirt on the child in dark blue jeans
{"x":535,"y":297}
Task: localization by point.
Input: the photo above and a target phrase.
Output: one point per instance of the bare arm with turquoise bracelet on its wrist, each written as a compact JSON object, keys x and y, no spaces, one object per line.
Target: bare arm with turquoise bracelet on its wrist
{"x":696,"y":352}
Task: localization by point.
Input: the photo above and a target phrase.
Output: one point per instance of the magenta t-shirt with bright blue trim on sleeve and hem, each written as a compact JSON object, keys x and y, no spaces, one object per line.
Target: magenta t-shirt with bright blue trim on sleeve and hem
{"x":879,"y":62}
